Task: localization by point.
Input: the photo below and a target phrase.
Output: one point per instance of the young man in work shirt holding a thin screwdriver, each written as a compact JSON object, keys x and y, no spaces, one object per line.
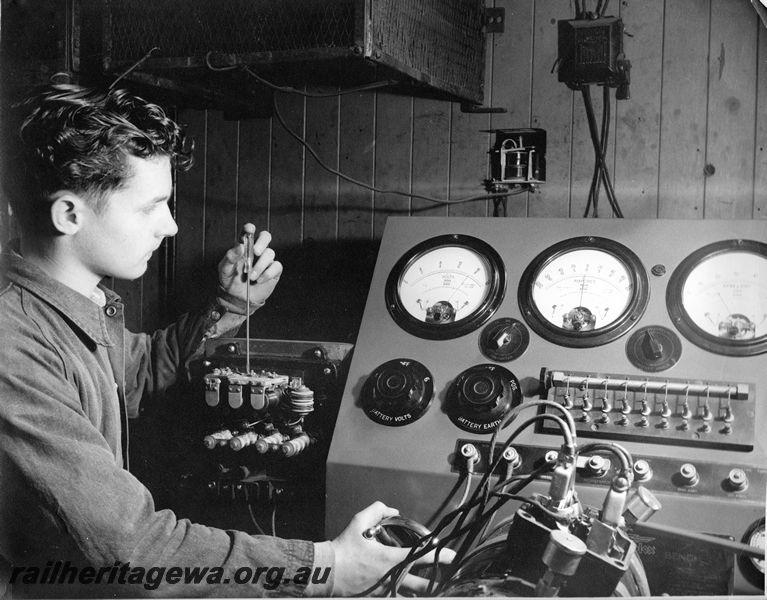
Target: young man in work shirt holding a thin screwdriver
{"x":89,"y":177}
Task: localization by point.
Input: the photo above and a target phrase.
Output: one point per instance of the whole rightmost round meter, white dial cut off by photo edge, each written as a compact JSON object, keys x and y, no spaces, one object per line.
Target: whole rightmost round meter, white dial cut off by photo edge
{"x":717,"y":297}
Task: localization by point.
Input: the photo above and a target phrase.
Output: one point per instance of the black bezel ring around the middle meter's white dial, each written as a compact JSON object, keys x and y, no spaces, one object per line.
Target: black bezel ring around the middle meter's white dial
{"x":593,"y":337}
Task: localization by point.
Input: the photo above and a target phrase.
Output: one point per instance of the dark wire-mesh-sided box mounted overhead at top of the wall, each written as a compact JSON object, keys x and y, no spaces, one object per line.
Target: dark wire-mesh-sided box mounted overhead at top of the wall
{"x":436,"y":42}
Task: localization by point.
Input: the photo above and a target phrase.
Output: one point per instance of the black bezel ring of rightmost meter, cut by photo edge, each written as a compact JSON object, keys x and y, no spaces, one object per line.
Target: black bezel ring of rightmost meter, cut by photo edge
{"x":681,"y":318}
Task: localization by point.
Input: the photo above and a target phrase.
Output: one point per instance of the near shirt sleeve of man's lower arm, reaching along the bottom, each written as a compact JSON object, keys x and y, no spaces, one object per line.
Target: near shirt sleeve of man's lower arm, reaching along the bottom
{"x":64,"y":498}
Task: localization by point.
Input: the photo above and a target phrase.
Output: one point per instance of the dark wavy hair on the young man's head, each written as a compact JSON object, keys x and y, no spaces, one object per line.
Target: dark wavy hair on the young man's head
{"x":67,"y":137}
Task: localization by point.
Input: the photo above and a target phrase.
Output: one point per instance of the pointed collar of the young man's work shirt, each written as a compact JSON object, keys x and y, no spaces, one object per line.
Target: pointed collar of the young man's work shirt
{"x":82,"y":311}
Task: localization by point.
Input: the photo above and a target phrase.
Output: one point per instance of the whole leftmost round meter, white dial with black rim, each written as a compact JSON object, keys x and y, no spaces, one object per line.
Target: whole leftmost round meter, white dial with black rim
{"x":446,"y":287}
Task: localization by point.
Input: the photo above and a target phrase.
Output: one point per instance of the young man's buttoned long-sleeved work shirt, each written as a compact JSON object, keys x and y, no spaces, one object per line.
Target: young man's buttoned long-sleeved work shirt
{"x":70,"y":375}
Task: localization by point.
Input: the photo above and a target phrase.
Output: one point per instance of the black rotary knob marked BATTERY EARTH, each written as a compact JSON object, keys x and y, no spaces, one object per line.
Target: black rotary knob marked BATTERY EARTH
{"x":480,"y":397}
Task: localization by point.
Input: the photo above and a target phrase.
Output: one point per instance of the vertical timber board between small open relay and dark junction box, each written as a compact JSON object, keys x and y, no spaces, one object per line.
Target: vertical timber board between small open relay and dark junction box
{"x":552,"y":111}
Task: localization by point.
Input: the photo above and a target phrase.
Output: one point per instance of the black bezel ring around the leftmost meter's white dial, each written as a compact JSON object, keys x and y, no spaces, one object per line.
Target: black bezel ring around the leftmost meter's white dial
{"x":446,"y":331}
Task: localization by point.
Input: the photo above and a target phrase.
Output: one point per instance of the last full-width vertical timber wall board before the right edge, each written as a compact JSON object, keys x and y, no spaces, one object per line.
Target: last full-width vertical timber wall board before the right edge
{"x":731,"y":110}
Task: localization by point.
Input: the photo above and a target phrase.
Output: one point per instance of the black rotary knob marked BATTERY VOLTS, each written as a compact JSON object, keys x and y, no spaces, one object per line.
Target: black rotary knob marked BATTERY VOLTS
{"x":397,"y":392}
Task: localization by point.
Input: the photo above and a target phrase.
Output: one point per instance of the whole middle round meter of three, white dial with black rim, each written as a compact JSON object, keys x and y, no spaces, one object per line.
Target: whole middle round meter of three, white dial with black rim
{"x":583,"y":292}
